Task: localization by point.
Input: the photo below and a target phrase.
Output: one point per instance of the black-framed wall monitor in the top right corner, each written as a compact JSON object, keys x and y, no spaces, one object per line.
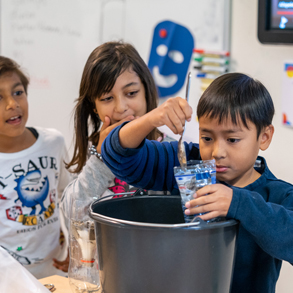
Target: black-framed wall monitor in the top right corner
{"x":275,"y":21}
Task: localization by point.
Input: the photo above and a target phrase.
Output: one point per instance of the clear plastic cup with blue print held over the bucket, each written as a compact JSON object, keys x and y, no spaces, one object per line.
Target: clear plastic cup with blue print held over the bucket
{"x":197,"y":175}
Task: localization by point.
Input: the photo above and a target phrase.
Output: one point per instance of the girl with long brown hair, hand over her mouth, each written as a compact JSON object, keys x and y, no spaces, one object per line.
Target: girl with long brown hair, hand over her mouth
{"x":116,"y":87}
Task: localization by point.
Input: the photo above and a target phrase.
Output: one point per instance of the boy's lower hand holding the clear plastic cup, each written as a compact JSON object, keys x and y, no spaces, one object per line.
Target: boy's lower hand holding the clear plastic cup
{"x":214,"y":200}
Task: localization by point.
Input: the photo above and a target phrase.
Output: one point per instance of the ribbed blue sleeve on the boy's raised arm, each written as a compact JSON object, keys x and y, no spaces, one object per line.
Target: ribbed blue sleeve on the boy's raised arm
{"x":149,"y":166}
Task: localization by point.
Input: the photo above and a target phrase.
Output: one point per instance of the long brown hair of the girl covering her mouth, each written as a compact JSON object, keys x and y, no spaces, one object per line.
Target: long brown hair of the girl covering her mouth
{"x":103,"y":67}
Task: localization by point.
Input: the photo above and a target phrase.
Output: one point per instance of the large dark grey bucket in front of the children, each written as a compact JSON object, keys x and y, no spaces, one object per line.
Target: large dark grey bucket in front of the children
{"x":144,"y":246}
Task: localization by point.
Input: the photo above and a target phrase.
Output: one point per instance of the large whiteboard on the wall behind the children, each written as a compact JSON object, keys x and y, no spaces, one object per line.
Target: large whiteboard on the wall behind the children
{"x":52,"y":39}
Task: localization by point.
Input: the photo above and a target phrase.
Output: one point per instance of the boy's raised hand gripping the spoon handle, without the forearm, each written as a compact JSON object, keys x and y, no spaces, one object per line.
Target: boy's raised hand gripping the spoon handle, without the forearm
{"x":172,"y":113}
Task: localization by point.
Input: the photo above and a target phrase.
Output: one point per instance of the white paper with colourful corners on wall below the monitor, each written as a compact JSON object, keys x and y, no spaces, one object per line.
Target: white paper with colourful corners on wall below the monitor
{"x":287,"y":94}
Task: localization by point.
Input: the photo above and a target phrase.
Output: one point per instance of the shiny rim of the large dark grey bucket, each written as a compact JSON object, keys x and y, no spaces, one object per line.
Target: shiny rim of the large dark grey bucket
{"x":198,"y":223}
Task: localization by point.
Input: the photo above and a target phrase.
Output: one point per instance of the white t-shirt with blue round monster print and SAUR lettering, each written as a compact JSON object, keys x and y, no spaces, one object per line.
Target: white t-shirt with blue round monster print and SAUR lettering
{"x":30,"y":185}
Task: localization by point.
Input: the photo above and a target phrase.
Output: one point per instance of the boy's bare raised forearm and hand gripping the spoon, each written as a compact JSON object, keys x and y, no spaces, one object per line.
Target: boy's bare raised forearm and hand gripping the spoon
{"x":173,"y":113}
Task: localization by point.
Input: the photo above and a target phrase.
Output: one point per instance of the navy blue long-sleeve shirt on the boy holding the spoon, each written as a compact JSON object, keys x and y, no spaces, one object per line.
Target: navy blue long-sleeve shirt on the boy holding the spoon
{"x":263,"y":208}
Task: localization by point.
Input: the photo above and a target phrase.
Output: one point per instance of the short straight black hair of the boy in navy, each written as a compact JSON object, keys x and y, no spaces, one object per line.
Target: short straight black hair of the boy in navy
{"x":237,"y":96}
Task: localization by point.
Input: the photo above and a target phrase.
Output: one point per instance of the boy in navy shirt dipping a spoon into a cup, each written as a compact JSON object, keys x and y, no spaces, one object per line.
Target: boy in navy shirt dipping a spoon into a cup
{"x":235,"y":121}
